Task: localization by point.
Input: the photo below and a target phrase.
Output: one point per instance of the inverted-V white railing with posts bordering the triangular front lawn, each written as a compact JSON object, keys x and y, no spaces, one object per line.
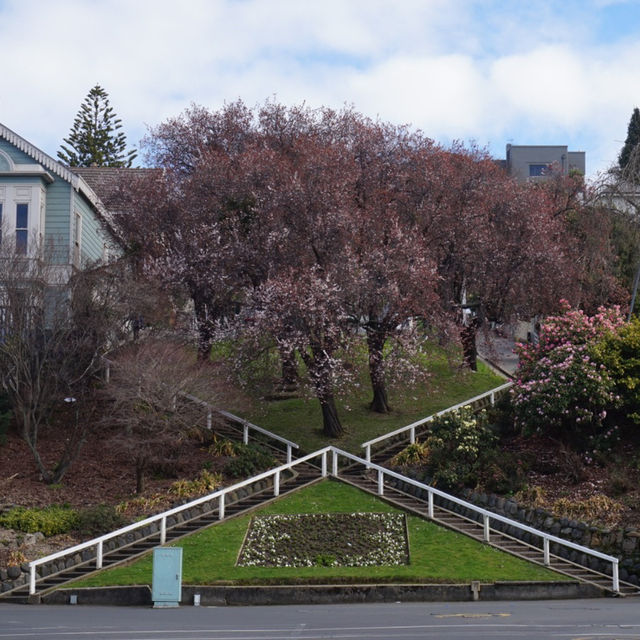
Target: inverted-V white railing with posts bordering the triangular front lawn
{"x":487,"y":516}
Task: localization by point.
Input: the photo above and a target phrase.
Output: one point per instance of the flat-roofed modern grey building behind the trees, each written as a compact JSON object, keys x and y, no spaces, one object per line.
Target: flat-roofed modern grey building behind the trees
{"x":533,"y":162}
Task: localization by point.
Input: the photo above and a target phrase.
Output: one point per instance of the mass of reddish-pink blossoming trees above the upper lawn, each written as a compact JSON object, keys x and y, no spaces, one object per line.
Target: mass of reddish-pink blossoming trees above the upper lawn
{"x":313,"y":231}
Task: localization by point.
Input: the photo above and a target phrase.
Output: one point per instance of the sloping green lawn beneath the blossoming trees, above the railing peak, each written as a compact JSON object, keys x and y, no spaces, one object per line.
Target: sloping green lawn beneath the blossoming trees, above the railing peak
{"x":300,"y":420}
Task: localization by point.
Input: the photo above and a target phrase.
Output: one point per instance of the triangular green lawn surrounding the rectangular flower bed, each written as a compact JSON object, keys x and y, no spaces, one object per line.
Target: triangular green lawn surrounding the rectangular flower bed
{"x":437,"y":555}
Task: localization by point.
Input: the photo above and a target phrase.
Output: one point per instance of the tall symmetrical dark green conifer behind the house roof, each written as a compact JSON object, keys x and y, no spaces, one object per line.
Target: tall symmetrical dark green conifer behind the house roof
{"x":95,"y":138}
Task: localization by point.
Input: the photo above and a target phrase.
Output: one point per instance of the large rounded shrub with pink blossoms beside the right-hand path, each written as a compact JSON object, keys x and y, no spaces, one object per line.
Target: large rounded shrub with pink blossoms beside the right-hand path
{"x":561,"y":386}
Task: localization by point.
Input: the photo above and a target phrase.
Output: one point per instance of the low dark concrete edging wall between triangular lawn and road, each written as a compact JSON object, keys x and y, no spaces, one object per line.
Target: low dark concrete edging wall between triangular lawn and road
{"x":330,"y":594}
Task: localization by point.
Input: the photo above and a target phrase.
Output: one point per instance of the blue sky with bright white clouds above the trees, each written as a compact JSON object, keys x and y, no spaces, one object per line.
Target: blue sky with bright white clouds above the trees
{"x":488,"y":72}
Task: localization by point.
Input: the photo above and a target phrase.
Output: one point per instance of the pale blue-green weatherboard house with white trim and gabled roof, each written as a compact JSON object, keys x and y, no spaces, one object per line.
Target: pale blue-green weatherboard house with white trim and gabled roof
{"x":45,"y":204}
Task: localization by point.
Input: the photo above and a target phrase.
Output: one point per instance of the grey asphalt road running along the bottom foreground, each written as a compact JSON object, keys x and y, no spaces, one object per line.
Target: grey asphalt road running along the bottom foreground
{"x":602,"y":619}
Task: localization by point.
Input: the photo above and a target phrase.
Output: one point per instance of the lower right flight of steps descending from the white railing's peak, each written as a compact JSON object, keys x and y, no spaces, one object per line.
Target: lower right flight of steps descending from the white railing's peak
{"x":457,"y":522}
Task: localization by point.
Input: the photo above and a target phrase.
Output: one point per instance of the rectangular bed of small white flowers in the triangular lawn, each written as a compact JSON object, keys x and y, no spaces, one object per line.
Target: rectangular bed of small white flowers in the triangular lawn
{"x":326,"y":539}
